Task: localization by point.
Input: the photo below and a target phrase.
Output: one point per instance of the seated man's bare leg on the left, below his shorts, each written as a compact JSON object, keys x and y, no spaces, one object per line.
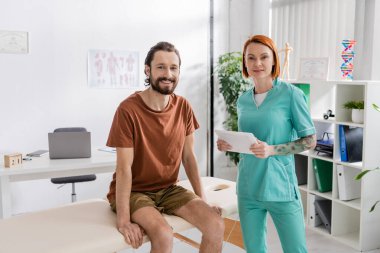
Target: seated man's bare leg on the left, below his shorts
{"x":156,"y":227}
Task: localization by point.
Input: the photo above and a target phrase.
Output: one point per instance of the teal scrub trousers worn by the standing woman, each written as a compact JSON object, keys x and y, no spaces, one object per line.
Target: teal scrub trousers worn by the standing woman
{"x":287,"y":217}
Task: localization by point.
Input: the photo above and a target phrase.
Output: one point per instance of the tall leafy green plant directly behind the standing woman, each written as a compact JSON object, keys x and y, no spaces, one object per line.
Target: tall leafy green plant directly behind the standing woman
{"x":232,"y":84}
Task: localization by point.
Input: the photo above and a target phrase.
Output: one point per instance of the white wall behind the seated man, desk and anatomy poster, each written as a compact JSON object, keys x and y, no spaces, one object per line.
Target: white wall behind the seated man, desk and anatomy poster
{"x":47,"y":88}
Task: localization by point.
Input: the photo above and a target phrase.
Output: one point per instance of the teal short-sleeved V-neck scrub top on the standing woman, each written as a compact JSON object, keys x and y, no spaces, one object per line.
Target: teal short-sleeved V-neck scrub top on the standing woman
{"x":282,"y":117}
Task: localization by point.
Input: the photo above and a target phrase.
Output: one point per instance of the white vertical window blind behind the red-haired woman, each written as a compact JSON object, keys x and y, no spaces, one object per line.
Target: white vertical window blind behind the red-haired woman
{"x":313,"y":28}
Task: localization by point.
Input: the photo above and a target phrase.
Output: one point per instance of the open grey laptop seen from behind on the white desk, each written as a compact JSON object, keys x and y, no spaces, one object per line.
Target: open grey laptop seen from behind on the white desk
{"x":71,"y":142}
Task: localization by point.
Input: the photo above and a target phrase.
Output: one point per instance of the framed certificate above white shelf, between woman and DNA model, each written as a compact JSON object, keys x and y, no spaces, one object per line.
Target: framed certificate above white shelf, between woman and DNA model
{"x":313,"y":68}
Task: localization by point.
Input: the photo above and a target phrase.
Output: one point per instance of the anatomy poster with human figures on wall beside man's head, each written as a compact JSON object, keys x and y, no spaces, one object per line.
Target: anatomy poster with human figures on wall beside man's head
{"x":113,"y":69}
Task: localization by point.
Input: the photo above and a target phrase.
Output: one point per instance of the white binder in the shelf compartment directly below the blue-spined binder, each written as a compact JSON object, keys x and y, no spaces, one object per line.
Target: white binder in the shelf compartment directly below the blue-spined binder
{"x":348,"y":187}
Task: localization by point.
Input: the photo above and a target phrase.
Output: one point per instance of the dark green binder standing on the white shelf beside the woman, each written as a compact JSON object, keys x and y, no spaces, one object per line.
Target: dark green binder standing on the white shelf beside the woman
{"x":323,"y":174}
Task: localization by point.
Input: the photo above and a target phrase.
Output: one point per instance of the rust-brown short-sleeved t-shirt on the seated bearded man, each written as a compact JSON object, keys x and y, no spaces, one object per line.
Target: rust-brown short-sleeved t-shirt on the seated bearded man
{"x":157,"y":138}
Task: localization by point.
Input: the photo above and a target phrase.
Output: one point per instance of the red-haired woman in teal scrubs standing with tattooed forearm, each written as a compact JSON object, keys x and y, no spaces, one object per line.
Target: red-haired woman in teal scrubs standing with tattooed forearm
{"x":277,"y":114}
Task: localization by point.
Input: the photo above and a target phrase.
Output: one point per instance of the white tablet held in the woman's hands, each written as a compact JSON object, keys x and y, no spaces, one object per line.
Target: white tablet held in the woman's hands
{"x":240,"y":141}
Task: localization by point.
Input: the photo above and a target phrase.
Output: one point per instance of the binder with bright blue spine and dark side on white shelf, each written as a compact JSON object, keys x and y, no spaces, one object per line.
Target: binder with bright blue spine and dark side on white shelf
{"x":351,"y":143}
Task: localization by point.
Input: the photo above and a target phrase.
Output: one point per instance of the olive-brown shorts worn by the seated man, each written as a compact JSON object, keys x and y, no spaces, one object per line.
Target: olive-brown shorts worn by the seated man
{"x":165,"y":200}
